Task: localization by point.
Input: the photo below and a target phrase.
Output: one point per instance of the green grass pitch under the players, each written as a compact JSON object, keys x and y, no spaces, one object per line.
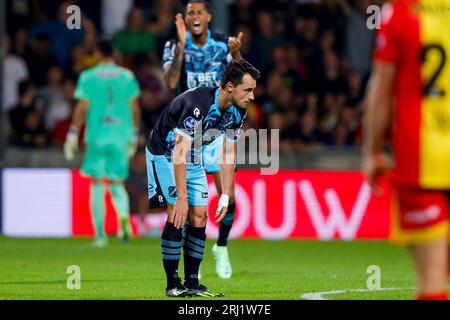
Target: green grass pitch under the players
{"x":37,"y":269}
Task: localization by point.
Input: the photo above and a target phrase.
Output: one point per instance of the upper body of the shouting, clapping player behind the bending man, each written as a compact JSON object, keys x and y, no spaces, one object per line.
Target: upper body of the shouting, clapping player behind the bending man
{"x":198,"y":56}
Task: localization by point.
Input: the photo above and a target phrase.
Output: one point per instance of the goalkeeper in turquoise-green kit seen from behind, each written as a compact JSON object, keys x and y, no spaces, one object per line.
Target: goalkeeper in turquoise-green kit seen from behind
{"x":107,"y":96}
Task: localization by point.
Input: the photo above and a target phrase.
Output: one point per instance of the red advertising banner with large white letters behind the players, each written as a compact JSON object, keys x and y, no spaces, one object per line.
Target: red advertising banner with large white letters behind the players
{"x":321,"y":205}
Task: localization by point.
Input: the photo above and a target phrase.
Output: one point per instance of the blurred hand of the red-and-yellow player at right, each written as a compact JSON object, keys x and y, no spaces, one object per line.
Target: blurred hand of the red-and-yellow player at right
{"x":375,"y":166}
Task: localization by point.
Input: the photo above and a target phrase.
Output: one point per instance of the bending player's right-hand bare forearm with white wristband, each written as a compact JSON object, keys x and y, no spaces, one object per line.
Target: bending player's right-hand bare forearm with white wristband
{"x":227,"y":178}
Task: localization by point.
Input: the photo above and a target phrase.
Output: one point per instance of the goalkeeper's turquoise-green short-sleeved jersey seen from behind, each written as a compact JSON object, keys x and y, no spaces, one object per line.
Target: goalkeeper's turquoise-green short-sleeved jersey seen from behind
{"x":108,"y":88}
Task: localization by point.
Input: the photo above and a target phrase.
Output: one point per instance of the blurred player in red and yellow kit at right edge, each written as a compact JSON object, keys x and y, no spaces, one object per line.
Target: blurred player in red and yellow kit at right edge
{"x":410,"y":92}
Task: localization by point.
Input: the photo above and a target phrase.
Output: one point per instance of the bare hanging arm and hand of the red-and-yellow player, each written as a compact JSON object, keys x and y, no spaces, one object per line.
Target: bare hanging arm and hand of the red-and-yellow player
{"x":376,"y":122}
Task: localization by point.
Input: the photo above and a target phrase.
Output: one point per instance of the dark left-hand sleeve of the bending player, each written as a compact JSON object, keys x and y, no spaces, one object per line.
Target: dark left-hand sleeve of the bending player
{"x":187,"y":116}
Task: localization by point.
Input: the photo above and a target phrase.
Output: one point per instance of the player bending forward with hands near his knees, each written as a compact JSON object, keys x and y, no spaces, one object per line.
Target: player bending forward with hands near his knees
{"x":176,"y":177}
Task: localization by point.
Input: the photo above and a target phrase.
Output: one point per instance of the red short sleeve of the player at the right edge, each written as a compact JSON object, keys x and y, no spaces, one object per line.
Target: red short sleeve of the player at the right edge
{"x":386,"y":43}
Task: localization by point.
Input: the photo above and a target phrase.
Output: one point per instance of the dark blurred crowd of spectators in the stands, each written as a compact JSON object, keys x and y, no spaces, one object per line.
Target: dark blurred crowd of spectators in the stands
{"x":314,"y":55}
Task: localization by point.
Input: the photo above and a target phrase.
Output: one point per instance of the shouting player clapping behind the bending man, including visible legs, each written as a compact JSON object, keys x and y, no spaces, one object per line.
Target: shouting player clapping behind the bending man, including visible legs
{"x":197,"y":59}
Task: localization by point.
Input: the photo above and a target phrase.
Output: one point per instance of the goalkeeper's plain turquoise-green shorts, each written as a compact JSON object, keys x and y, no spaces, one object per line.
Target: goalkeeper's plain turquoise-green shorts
{"x":106,"y":161}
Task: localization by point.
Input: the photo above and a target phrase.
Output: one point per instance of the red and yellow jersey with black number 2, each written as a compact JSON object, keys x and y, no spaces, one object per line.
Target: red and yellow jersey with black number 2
{"x":415,"y":36}
